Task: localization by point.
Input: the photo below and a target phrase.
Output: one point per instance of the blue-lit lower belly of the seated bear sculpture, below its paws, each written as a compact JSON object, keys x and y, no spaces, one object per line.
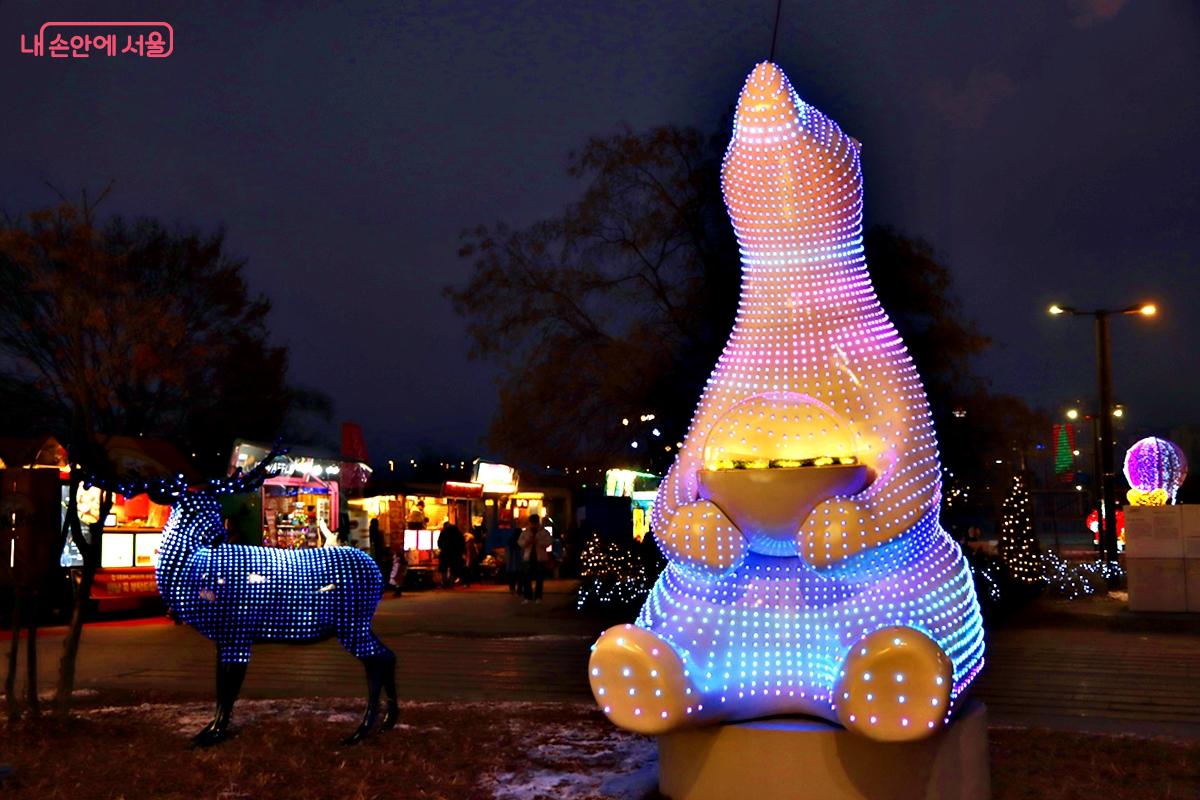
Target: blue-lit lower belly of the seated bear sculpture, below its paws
{"x":776,"y":624}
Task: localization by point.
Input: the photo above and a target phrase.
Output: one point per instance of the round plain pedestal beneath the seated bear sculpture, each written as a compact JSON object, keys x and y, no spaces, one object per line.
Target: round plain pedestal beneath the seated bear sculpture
{"x":803,"y":760}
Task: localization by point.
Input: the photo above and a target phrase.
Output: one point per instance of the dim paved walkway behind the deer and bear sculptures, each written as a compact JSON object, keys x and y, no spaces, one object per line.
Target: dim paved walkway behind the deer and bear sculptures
{"x":1082,"y":667}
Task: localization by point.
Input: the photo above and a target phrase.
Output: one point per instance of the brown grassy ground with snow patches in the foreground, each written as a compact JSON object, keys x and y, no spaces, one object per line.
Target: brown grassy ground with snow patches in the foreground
{"x":116,"y":748}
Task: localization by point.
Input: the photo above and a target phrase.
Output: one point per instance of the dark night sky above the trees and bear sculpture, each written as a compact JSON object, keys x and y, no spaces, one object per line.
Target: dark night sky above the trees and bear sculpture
{"x":1049,"y":152}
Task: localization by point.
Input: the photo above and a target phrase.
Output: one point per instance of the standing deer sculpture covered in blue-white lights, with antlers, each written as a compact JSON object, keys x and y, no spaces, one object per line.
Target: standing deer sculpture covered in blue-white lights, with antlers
{"x":239,"y":596}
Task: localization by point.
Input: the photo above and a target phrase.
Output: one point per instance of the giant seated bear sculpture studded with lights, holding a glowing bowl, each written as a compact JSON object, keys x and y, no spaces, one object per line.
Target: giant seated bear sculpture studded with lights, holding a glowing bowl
{"x":808,"y":572}
